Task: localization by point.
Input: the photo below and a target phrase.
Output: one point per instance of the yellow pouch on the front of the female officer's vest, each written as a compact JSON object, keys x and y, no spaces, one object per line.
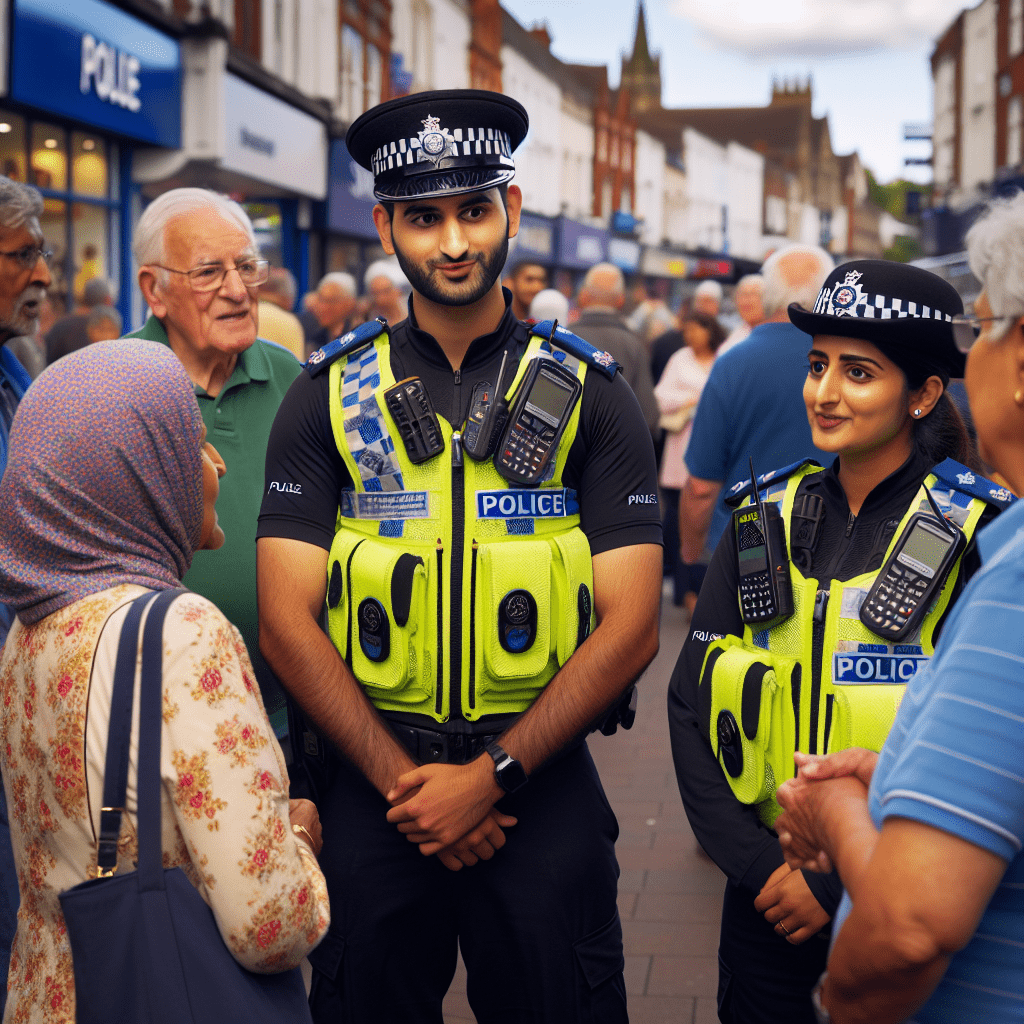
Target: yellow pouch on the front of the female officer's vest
{"x":747,"y":715}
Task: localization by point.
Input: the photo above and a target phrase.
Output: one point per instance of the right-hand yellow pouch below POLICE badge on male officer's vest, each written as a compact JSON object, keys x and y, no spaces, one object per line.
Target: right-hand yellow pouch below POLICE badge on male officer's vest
{"x":513,"y":616}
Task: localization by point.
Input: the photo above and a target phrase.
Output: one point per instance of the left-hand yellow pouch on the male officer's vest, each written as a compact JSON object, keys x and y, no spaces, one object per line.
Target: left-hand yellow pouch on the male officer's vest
{"x":393,"y":621}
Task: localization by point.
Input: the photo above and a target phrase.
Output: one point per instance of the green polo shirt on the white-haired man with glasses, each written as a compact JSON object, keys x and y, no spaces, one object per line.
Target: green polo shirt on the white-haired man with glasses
{"x":238,"y":424}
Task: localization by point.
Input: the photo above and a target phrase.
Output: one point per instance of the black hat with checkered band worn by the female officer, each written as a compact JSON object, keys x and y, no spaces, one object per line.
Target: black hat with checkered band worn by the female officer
{"x":905,"y":311}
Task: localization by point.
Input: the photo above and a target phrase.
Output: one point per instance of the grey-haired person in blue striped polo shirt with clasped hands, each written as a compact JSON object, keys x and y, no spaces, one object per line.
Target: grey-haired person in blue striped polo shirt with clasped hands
{"x":928,"y":836}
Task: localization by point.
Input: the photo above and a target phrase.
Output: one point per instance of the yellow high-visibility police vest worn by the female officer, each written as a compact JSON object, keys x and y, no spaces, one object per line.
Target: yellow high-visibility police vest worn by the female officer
{"x":821,"y":681}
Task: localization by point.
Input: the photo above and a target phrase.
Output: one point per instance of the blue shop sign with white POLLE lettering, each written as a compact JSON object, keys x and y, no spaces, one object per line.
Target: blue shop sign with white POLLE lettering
{"x":92,"y":63}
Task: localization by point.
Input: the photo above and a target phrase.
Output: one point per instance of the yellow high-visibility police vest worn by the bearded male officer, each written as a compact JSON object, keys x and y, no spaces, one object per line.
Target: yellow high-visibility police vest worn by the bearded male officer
{"x":450,"y":592}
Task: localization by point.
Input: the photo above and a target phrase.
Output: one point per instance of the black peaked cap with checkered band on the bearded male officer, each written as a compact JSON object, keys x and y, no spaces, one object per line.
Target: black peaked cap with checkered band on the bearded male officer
{"x":439,"y":144}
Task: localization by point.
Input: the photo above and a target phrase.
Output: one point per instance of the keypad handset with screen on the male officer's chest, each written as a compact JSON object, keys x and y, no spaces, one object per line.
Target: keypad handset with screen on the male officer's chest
{"x":539,"y":417}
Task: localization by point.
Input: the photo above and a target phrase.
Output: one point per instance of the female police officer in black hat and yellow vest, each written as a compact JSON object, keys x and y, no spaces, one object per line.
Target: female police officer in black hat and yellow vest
{"x":794,"y":664}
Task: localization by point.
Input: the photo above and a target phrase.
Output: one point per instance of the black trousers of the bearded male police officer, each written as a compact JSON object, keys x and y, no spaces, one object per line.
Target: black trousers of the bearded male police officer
{"x":538,"y":924}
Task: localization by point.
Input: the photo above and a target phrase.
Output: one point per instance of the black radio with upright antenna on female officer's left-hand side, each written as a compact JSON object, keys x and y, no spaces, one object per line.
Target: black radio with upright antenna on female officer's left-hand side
{"x":765,"y":589}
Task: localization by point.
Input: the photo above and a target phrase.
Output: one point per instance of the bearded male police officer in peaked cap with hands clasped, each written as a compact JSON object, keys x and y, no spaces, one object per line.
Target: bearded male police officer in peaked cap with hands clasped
{"x":461,"y":671}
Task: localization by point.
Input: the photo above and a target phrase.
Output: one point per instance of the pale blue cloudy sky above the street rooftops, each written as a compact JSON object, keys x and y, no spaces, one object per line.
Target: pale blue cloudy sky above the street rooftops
{"x":869,"y":59}
